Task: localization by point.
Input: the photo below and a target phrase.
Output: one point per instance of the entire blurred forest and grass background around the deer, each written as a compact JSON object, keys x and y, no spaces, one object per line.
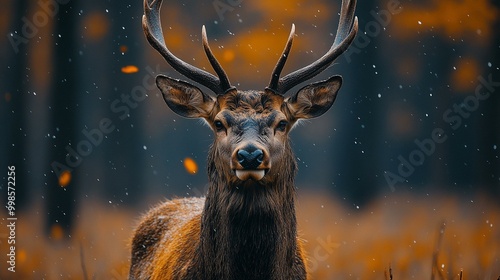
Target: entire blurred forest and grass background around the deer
{"x":415,"y":126}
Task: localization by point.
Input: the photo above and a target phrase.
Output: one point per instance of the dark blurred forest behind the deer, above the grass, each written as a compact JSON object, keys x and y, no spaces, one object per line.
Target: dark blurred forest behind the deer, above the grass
{"x":61,"y":72}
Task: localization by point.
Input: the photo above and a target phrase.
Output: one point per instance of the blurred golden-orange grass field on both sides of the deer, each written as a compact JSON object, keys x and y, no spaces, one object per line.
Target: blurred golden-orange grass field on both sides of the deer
{"x":398,"y":236}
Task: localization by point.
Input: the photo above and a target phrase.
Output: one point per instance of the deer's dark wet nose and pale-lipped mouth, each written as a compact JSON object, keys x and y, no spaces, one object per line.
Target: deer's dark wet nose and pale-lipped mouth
{"x":250,"y":162}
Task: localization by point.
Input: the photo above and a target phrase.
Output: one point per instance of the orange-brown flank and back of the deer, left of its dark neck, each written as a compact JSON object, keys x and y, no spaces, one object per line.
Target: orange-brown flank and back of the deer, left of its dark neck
{"x":164,"y":242}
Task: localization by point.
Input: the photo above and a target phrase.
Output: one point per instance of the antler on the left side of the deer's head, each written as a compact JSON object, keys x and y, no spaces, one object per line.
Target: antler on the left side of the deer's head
{"x":152,"y":28}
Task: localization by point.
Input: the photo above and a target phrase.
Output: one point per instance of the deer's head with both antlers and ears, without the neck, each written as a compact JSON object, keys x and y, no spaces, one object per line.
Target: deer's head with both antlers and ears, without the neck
{"x":251,"y":126}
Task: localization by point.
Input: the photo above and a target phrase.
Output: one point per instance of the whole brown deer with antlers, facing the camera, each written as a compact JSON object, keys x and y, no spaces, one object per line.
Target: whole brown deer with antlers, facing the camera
{"x":246,"y":226}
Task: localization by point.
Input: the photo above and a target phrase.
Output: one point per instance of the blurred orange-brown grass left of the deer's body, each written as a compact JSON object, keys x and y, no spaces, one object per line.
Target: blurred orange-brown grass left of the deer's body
{"x":101,"y":231}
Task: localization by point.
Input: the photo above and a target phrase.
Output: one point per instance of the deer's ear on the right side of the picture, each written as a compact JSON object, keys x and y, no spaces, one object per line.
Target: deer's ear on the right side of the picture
{"x":315,"y":99}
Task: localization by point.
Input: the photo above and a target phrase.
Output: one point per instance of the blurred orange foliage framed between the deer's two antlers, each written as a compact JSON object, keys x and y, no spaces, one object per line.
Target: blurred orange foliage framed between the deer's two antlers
{"x":255,"y":45}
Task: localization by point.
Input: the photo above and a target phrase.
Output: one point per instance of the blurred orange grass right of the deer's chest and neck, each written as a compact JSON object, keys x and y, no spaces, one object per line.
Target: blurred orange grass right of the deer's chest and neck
{"x":401,"y":232}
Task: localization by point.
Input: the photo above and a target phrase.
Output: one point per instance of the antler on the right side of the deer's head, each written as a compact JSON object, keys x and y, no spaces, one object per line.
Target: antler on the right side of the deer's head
{"x":346,"y":32}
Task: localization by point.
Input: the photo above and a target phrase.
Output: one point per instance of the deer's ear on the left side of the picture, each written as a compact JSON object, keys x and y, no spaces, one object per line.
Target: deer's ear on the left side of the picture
{"x":185,"y":99}
